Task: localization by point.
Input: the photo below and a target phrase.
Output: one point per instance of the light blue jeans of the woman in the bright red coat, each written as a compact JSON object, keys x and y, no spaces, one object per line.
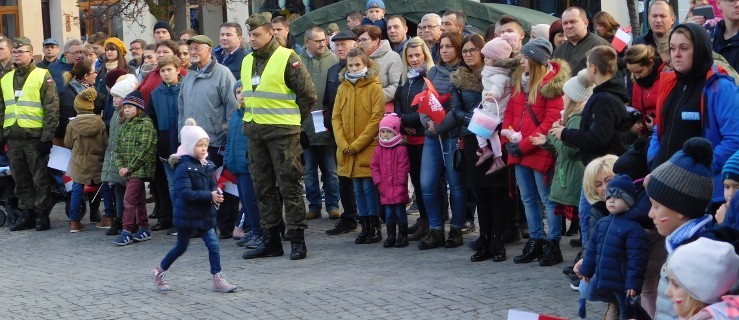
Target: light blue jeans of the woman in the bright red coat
{"x":533,"y":190}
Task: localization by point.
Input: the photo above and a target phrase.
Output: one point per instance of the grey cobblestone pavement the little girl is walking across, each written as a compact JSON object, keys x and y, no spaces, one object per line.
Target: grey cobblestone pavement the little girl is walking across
{"x":56,"y":274}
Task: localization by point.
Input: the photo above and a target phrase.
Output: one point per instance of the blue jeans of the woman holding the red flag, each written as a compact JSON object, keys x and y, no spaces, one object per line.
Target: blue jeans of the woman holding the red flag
{"x":438,"y":155}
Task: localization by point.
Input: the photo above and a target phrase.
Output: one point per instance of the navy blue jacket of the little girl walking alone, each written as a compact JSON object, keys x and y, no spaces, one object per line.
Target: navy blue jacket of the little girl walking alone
{"x":193,"y":184}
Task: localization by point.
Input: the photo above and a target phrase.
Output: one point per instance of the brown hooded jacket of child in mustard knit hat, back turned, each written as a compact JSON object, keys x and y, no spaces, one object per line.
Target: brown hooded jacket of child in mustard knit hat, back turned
{"x":87,"y":137}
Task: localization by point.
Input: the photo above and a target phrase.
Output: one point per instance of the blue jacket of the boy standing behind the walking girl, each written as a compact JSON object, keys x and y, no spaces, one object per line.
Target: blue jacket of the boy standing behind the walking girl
{"x":164,"y":114}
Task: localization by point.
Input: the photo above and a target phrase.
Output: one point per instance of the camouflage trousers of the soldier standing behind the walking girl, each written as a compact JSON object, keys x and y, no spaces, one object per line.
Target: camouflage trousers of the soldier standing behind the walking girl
{"x":274,"y":163}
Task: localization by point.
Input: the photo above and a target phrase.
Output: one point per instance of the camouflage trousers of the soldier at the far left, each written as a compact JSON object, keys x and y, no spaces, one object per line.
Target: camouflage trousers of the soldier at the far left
{"x":32,"y":180}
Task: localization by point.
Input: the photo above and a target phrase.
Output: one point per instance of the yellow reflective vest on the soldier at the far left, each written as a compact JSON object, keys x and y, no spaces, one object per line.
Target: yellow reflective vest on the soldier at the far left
{"x":27,"y":110}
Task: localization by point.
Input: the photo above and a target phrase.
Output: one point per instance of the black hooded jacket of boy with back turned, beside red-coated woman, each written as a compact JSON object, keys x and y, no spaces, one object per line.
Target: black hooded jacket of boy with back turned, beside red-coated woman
{"x":604,"y":125}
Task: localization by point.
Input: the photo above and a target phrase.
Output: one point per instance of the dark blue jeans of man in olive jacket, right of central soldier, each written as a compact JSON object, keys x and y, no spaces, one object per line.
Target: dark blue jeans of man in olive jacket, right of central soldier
{"x":325,"y":158}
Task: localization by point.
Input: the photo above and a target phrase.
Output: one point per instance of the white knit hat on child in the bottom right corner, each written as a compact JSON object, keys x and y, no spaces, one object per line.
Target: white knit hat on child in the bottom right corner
{"x":705,"y":268}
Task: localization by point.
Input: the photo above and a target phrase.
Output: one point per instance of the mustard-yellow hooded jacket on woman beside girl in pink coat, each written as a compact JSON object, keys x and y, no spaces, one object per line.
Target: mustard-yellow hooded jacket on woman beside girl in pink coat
{"x":358,"y":109}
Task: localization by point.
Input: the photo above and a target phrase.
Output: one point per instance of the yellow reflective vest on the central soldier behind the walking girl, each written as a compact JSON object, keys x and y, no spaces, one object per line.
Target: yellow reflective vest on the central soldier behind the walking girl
{"x":271,"y":102}
